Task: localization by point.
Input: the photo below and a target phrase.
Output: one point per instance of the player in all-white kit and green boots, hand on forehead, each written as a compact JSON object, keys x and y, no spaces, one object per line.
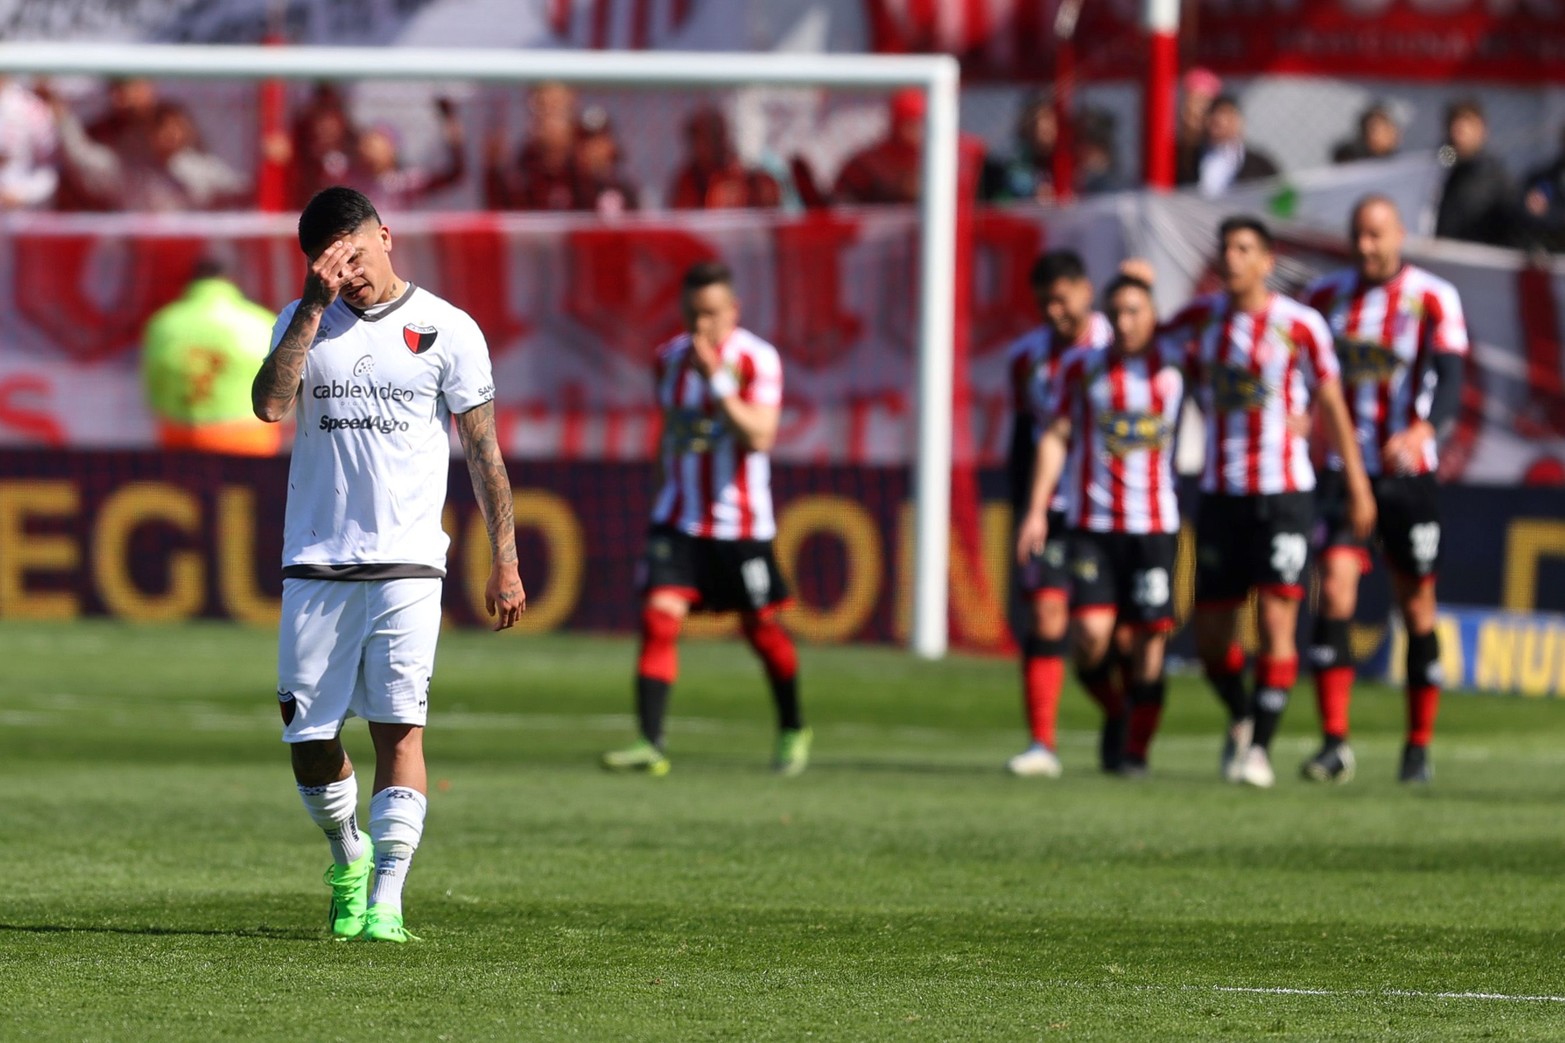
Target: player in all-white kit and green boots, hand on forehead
{"x":376,"y":369}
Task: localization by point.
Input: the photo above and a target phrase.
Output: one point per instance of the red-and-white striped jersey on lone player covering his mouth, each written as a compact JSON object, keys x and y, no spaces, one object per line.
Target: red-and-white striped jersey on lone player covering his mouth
{"x":711,"y":486}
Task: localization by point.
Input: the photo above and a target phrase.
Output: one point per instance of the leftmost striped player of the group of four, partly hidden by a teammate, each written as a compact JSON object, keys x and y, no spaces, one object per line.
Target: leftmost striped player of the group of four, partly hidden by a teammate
{"x":1065,"y":298}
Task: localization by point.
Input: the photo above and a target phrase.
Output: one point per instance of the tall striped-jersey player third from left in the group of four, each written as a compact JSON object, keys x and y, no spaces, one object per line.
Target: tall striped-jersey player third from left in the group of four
{"x":1256,"y":363}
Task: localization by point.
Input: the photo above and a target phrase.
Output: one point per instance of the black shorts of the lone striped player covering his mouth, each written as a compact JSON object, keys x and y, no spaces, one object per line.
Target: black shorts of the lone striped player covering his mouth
{"x":714,"y":576}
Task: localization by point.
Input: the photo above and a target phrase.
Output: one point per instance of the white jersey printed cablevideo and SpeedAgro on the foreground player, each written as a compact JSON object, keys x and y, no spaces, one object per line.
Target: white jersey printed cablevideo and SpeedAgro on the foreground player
{"x":370,"y":461}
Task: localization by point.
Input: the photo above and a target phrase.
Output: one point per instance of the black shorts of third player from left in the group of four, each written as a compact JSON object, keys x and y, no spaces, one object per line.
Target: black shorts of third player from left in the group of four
{"x":1245,"y":543}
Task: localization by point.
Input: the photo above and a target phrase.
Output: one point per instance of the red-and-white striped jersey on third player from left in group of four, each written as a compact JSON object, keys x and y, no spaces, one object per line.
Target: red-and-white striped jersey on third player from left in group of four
{"x":1251,"y":374}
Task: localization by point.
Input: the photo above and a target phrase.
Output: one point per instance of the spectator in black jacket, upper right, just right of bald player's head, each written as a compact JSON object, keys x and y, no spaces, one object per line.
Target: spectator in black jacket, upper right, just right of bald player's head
{"x":1478,"y":203}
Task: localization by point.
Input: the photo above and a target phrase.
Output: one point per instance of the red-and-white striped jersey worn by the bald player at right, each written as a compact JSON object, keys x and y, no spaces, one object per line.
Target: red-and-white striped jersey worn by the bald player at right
{"x":1387,"y":337}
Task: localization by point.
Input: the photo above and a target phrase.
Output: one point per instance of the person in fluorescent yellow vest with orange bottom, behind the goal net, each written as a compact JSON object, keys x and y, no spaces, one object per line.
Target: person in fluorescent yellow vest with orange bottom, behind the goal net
{"x":200,"y":356}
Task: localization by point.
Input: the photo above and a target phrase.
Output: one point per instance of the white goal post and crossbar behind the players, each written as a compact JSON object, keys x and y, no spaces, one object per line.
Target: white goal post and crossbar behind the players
{"x":937,"y":76}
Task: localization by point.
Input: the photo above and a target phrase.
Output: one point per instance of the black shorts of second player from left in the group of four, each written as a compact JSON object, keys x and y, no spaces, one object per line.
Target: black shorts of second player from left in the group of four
{"x":1128,"y":572}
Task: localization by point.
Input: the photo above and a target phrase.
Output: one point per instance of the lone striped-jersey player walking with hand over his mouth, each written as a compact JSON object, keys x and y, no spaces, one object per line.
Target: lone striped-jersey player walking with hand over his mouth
{"x":710,"y":549}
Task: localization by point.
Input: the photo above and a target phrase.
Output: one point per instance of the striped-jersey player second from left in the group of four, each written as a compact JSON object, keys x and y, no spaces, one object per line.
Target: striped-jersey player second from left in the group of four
{"x":1110,"y":441}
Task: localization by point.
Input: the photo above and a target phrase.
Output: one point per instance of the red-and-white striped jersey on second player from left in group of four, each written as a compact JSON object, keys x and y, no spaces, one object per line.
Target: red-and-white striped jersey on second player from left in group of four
{"x":1124,"y":413}
